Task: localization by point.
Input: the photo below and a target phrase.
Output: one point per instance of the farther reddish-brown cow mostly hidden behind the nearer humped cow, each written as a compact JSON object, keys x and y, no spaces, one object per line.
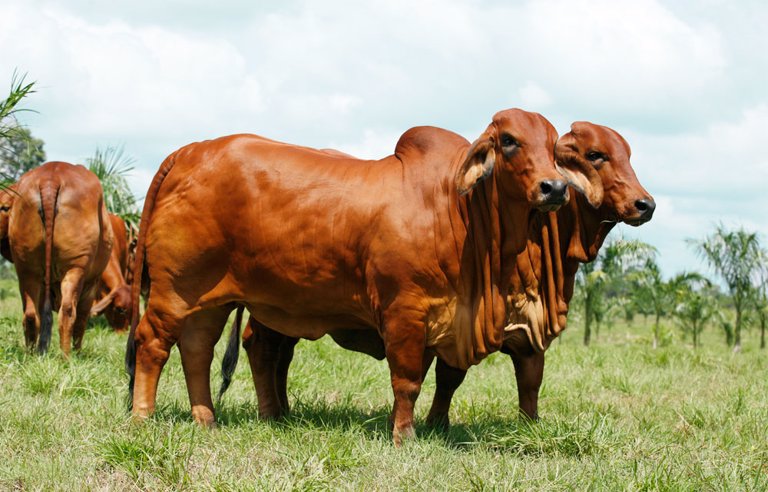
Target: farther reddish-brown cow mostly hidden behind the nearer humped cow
{"x":541,"y":285}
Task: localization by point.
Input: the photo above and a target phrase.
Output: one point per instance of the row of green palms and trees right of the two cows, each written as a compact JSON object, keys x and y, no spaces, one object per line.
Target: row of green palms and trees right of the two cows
{"x":625,"y":280}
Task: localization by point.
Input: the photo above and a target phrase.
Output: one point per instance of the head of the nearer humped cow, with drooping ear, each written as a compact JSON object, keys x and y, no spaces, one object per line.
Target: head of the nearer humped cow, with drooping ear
{"x":518,"y":148}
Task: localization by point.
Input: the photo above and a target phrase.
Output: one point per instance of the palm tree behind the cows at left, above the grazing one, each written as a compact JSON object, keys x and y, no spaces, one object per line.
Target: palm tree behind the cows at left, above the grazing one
{"x":111,"y":165}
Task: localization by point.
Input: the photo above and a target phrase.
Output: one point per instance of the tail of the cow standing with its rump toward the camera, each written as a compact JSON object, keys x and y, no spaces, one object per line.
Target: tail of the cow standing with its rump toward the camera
{"x":49,"y":194}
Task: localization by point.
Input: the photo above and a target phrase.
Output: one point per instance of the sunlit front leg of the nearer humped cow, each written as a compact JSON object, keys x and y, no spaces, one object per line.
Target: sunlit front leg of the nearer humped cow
{"x":404,"y":343}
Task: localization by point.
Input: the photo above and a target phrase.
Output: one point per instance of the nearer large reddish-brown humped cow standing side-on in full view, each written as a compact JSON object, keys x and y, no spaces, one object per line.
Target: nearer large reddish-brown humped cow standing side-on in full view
{"x":413,"y":247}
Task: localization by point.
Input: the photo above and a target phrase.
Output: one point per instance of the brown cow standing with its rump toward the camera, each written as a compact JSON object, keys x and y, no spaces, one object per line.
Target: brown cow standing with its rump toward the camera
{"x":60,"y":241}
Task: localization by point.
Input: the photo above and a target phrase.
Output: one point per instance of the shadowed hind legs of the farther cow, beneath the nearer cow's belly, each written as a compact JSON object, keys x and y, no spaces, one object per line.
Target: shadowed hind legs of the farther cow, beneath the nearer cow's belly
{"x":269,"y":354}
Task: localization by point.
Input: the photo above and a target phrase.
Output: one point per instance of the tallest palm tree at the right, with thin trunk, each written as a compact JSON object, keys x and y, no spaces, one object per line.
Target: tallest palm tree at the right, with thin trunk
{"x":737,"y":257}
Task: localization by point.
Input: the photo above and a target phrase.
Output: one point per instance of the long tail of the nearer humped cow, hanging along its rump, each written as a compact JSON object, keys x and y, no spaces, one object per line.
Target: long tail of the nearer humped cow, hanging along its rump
{"x":138,"y":267}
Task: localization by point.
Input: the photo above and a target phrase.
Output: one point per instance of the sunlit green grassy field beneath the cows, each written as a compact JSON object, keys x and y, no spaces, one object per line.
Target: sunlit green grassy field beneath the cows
{"x":617,"y":415}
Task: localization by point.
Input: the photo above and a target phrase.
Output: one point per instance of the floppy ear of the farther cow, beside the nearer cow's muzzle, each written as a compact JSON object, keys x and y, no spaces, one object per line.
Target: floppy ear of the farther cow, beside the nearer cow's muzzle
{"x":579,"y":172}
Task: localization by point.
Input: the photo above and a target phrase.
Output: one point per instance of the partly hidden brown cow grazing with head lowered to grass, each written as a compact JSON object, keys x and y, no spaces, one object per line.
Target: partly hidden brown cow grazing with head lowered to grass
{"x":114,"y":291}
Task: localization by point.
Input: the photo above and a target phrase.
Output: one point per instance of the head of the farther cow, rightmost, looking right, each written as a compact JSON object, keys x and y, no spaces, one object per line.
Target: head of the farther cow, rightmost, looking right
{"x":595,"y":159}
